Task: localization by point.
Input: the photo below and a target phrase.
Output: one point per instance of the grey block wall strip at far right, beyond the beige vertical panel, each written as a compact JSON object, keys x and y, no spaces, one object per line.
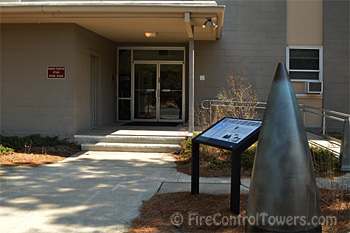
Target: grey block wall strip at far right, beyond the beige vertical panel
{"x":336,"y":58}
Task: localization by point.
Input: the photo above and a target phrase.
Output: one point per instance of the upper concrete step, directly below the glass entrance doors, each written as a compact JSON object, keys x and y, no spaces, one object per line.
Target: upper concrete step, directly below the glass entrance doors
{"x":80,"y":139}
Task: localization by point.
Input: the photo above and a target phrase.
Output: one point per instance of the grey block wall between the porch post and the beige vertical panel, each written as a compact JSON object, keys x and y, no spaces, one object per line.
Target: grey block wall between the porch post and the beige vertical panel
{"x":253,"y":43}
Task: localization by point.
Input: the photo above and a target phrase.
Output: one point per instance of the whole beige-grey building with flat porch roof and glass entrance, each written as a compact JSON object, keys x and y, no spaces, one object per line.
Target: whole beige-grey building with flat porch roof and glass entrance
{"x":67,"y":66}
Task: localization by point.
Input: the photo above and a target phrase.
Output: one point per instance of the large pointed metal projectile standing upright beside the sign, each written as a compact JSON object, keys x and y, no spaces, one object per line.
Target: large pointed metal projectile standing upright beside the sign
{"x":283,"y":194}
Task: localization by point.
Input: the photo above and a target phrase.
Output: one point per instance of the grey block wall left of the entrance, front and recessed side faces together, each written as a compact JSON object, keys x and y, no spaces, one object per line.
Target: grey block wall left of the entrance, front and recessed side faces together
{"x":32,"y":103}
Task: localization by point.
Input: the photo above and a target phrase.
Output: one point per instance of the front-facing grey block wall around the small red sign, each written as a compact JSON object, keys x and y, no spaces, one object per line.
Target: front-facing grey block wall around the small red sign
{"x":30,"y":102}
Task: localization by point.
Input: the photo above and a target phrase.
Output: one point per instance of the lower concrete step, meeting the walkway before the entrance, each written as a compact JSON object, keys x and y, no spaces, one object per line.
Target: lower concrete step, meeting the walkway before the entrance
{"x":130,"y":147}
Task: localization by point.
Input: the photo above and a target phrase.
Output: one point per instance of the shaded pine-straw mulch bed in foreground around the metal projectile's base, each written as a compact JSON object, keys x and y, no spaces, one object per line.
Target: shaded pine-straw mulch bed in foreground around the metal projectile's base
{"x":158,"y":212}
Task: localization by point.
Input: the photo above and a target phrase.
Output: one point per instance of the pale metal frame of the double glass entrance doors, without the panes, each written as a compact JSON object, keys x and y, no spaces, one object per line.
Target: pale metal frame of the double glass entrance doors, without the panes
{"x":158,"y":63}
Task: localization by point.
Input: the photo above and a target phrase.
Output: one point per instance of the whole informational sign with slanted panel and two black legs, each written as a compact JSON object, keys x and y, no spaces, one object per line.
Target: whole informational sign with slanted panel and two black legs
{"x":232,"y":134}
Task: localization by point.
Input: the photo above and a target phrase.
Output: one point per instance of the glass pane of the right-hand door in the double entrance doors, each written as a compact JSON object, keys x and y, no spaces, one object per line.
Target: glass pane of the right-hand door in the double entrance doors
{"x":171,"y":92}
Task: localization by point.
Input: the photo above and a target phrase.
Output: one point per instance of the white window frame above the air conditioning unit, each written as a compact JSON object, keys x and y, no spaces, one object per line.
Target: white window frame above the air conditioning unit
{"x":320,"y":70}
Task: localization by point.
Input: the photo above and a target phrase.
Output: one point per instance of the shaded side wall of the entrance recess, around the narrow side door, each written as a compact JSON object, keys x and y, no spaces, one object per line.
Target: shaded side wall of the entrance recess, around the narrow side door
{"x":88,"y":43}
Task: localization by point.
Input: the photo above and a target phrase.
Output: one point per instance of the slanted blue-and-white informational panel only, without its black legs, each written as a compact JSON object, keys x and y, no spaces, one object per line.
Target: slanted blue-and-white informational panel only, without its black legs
{"x":229,"y":132}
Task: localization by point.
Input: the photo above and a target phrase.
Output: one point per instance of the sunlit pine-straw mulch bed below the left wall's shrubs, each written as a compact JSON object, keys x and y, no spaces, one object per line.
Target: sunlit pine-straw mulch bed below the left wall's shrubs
{"x":36,"y":156}
